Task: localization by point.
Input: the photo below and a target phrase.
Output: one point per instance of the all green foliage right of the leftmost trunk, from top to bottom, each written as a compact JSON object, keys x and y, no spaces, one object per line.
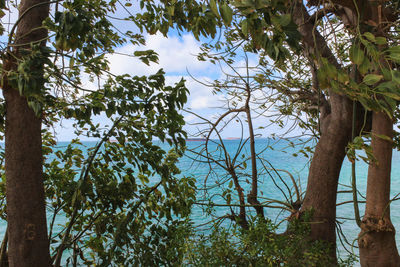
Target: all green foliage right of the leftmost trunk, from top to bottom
{"x":122,"y":200}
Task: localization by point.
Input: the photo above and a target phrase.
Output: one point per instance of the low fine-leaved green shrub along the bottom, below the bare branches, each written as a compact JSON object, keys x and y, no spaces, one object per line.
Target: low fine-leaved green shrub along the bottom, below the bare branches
{"x":260,"y":245}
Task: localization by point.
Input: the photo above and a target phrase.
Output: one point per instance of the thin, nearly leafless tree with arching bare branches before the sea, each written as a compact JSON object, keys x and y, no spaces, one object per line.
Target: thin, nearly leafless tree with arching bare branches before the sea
{"x":235,"y":171}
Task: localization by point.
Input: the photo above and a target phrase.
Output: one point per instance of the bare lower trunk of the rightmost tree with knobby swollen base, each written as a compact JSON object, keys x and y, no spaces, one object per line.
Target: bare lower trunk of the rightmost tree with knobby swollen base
{"x":377,"y":238}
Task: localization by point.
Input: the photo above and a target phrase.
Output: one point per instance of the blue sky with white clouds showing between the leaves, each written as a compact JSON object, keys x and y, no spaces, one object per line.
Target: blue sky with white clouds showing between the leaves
{"x":178,"y":57}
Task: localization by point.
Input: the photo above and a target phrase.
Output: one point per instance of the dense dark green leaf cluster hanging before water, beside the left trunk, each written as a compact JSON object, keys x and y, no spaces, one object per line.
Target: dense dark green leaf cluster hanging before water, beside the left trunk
{"x":141,"y":108}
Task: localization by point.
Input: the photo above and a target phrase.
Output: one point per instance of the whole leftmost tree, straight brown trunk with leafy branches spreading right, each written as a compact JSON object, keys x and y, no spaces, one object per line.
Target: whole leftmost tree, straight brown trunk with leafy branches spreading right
{"x":40,"y":89}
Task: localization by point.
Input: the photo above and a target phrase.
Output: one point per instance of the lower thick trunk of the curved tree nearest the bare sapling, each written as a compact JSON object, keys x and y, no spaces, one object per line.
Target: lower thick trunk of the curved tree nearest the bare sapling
{"x":323,"y":178}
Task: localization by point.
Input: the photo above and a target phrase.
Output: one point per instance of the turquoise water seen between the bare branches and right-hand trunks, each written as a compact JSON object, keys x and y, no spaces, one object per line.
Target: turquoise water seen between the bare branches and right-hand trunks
{"x":281,"y":156}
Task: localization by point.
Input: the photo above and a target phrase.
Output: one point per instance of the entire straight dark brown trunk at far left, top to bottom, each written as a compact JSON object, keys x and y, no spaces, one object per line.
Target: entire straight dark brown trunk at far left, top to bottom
{"x":27,"y":231}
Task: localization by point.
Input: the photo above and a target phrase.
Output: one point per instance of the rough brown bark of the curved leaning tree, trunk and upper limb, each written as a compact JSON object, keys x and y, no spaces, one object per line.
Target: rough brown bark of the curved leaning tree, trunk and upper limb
{"x":336,"y":121}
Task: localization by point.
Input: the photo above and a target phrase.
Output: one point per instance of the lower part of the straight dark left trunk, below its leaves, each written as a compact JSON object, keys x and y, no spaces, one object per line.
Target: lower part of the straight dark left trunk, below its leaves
{"x":28,"y":241}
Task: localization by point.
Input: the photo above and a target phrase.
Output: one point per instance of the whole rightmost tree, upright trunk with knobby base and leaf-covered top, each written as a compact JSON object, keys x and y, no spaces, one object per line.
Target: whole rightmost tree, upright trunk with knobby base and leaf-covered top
{"x":377,"y":238}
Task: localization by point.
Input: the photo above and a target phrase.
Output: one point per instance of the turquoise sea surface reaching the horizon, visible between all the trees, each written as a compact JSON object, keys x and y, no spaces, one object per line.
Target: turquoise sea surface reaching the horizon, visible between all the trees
{"x":278,"y":161}
